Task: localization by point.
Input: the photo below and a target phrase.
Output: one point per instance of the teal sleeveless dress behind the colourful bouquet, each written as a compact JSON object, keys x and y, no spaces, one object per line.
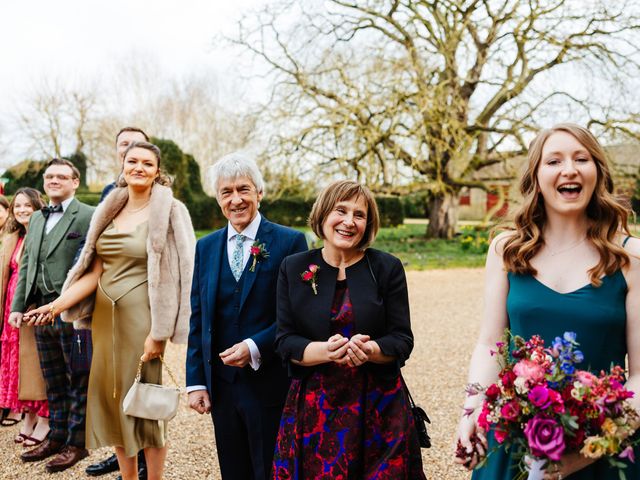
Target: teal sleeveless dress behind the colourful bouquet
{"x":598,"y":317}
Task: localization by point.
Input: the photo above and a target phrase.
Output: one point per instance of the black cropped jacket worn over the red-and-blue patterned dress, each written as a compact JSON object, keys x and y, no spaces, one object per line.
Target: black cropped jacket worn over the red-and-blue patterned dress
{"x":378,"y":290}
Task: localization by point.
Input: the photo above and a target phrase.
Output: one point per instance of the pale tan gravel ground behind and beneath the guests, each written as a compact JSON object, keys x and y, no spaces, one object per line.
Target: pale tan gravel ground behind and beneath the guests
{"x":445,"y":306}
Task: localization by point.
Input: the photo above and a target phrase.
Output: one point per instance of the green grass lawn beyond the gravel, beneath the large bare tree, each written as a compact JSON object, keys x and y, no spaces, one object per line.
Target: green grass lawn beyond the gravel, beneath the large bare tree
{"x":407,"y":242}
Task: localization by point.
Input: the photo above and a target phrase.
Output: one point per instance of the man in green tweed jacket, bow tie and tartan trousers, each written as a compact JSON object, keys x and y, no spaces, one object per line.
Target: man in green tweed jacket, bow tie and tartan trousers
{"x":55,"y":234}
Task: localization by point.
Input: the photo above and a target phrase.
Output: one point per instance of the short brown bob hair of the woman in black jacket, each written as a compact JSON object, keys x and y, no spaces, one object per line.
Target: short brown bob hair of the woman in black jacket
{"x":339,"y":192}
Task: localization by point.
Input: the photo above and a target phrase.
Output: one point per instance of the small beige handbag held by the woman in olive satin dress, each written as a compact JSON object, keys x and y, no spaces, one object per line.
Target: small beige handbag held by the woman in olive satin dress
{"x":151,"y":401}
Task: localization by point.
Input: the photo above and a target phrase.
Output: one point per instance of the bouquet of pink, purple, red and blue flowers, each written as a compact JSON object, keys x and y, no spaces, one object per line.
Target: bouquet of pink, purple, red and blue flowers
{"x":543,"y":406}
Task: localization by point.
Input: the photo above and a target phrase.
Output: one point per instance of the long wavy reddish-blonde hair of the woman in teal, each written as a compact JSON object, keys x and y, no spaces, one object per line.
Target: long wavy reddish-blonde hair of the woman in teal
{"x":607,"y":215}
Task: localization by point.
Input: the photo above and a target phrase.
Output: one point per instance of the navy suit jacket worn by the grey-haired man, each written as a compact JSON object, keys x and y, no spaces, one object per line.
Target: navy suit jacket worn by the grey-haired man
{"x":257,"y":301}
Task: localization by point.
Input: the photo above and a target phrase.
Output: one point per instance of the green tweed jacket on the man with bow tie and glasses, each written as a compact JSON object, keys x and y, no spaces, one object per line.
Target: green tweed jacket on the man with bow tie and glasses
{"x":64,"y":243}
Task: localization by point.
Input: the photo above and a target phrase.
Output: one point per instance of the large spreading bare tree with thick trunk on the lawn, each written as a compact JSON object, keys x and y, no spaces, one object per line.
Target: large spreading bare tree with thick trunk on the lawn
{"x":423,"y":93}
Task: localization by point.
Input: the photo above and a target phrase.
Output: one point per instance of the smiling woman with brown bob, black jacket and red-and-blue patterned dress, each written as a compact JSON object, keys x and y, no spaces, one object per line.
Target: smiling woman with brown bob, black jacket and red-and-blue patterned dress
{"x":343,"y":330}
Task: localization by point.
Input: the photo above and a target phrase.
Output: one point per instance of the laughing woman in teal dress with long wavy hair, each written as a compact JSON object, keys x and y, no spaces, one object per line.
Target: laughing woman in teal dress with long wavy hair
{"x":569,"y":265}
